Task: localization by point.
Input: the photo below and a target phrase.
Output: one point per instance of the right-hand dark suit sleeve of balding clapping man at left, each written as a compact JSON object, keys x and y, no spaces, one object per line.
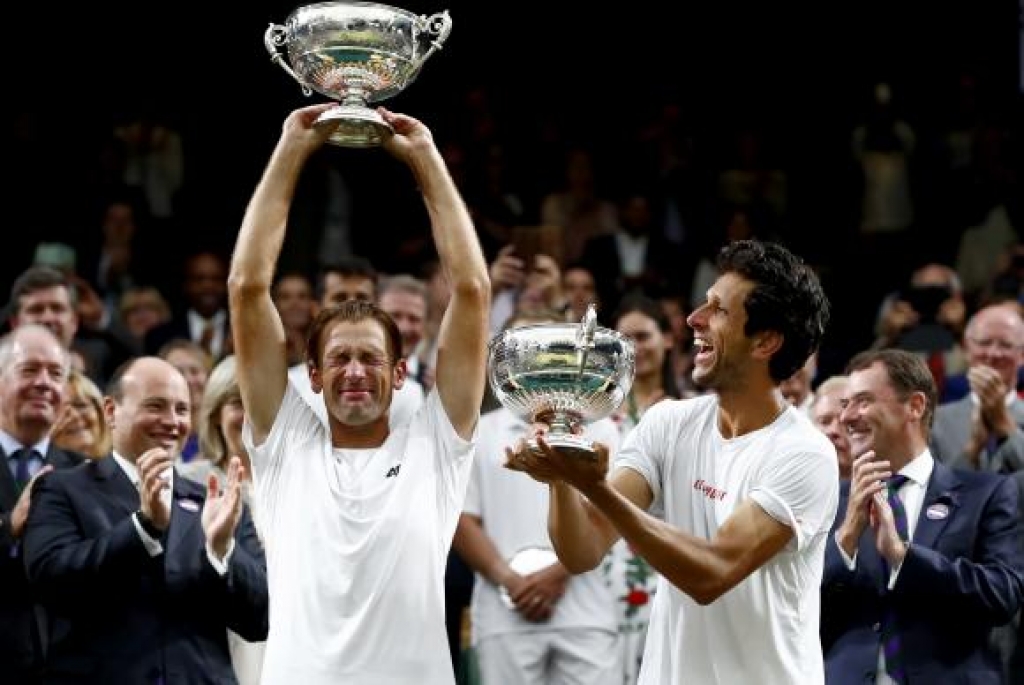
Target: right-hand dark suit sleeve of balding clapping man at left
{"x":243,"y":589}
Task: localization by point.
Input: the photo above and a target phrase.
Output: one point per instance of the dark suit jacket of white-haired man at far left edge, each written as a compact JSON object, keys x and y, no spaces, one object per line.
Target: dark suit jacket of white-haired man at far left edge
{"x":22,"y":629}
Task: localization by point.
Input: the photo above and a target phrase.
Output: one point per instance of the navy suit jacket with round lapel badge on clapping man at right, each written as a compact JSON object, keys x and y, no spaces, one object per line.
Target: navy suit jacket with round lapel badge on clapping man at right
{"x":963,"y":577}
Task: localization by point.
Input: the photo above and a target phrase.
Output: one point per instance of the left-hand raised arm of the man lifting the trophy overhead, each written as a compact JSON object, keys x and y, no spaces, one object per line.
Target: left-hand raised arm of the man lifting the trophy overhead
{"x":259,"y":333}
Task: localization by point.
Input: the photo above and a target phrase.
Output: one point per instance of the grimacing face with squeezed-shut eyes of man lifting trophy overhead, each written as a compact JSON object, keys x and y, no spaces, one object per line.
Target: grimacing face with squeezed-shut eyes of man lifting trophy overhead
{"x":359,"y":374}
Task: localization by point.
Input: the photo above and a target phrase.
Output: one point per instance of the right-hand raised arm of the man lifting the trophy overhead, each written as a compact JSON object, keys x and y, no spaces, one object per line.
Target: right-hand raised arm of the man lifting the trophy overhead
{"x":463,"y":337}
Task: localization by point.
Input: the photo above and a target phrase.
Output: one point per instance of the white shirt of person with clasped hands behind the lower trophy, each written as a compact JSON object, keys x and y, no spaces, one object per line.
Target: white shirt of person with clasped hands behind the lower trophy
{"x":514,"y":508}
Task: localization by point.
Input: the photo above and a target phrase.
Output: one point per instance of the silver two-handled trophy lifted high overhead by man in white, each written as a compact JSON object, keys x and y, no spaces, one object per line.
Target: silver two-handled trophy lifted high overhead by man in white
{"x":357,"y":53}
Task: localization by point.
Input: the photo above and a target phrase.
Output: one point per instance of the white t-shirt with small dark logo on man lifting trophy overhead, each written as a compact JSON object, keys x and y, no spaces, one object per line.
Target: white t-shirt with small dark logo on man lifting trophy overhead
{"x":357,"y":543}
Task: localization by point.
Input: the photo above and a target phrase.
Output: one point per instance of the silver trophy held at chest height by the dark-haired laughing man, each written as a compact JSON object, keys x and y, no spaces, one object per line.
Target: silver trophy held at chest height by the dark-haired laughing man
{"x":563,"y":375}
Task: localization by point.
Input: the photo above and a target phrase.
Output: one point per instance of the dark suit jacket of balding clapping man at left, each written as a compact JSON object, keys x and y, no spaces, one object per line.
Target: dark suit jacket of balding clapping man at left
{"x":132,"y":618}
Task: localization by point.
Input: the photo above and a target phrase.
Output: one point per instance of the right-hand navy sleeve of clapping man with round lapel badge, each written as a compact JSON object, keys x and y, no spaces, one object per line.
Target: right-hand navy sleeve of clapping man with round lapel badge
{"x":991,"y":584}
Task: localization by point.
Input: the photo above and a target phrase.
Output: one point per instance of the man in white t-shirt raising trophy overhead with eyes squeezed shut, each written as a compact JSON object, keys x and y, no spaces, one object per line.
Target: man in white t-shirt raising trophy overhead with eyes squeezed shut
{"x":358,"y":520}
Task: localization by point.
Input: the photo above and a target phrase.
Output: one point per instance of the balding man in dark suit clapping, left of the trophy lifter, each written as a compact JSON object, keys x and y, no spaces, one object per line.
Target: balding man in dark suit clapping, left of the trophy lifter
{"x":145,"y":570}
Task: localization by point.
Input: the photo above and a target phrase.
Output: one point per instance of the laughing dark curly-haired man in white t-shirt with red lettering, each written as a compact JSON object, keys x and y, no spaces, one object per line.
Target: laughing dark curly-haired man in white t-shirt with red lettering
{"x":747,"y":488}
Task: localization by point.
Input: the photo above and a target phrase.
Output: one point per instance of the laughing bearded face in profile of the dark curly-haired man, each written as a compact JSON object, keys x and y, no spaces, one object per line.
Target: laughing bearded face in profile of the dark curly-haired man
{"x":722,"y":359}
